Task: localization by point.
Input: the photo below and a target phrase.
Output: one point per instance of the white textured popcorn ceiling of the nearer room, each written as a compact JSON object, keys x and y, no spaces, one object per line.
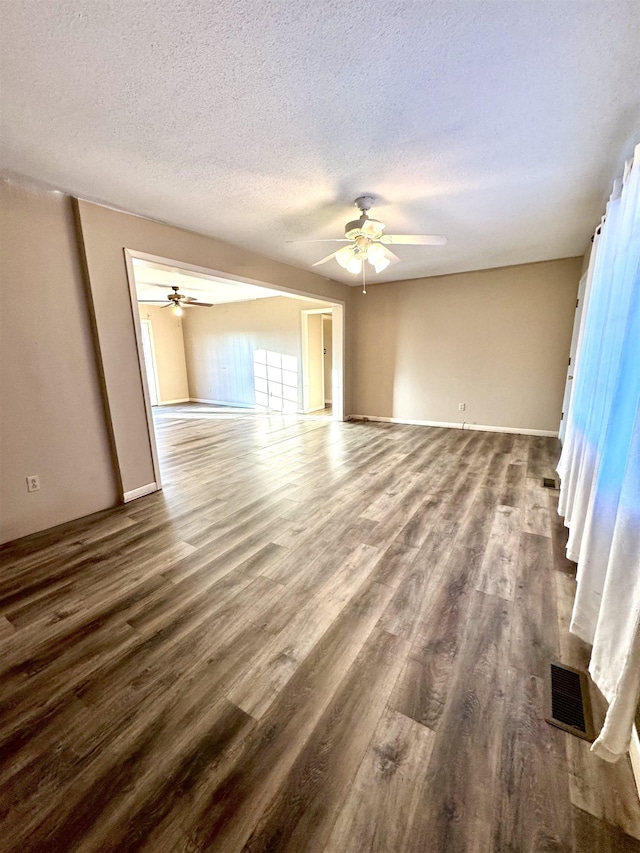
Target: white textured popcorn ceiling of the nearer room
{"x":498,"y":124}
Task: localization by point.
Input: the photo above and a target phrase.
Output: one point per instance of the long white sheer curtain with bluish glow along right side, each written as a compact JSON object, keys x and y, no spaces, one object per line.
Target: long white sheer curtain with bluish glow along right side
{"x":600,"y":465}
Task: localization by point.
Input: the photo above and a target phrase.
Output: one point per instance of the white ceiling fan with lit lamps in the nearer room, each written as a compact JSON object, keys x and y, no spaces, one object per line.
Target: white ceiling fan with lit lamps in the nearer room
{"x":367,"y":242}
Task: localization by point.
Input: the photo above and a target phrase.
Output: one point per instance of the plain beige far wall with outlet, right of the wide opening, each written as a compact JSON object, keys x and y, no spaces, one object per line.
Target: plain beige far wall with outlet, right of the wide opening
{"x":497,"y":340}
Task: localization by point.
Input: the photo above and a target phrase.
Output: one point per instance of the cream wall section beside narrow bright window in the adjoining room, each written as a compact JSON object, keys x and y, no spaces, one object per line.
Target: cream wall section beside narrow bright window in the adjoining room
{"x":168,"y":345}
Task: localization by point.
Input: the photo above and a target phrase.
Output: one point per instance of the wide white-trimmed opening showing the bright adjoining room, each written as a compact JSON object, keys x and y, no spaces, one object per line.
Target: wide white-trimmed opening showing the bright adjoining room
{"x":217,"y":347}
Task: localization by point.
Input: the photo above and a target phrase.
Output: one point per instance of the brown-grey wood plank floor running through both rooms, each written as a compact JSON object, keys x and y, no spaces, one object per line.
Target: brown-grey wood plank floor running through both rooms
{"x":319,"y":637}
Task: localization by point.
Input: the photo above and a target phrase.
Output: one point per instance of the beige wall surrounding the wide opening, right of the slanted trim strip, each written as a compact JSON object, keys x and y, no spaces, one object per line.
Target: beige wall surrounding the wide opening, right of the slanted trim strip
{"x":106,"y":233}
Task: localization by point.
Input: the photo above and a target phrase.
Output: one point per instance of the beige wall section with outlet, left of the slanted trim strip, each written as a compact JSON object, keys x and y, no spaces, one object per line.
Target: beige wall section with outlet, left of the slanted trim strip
{"x":52,"y":416}
